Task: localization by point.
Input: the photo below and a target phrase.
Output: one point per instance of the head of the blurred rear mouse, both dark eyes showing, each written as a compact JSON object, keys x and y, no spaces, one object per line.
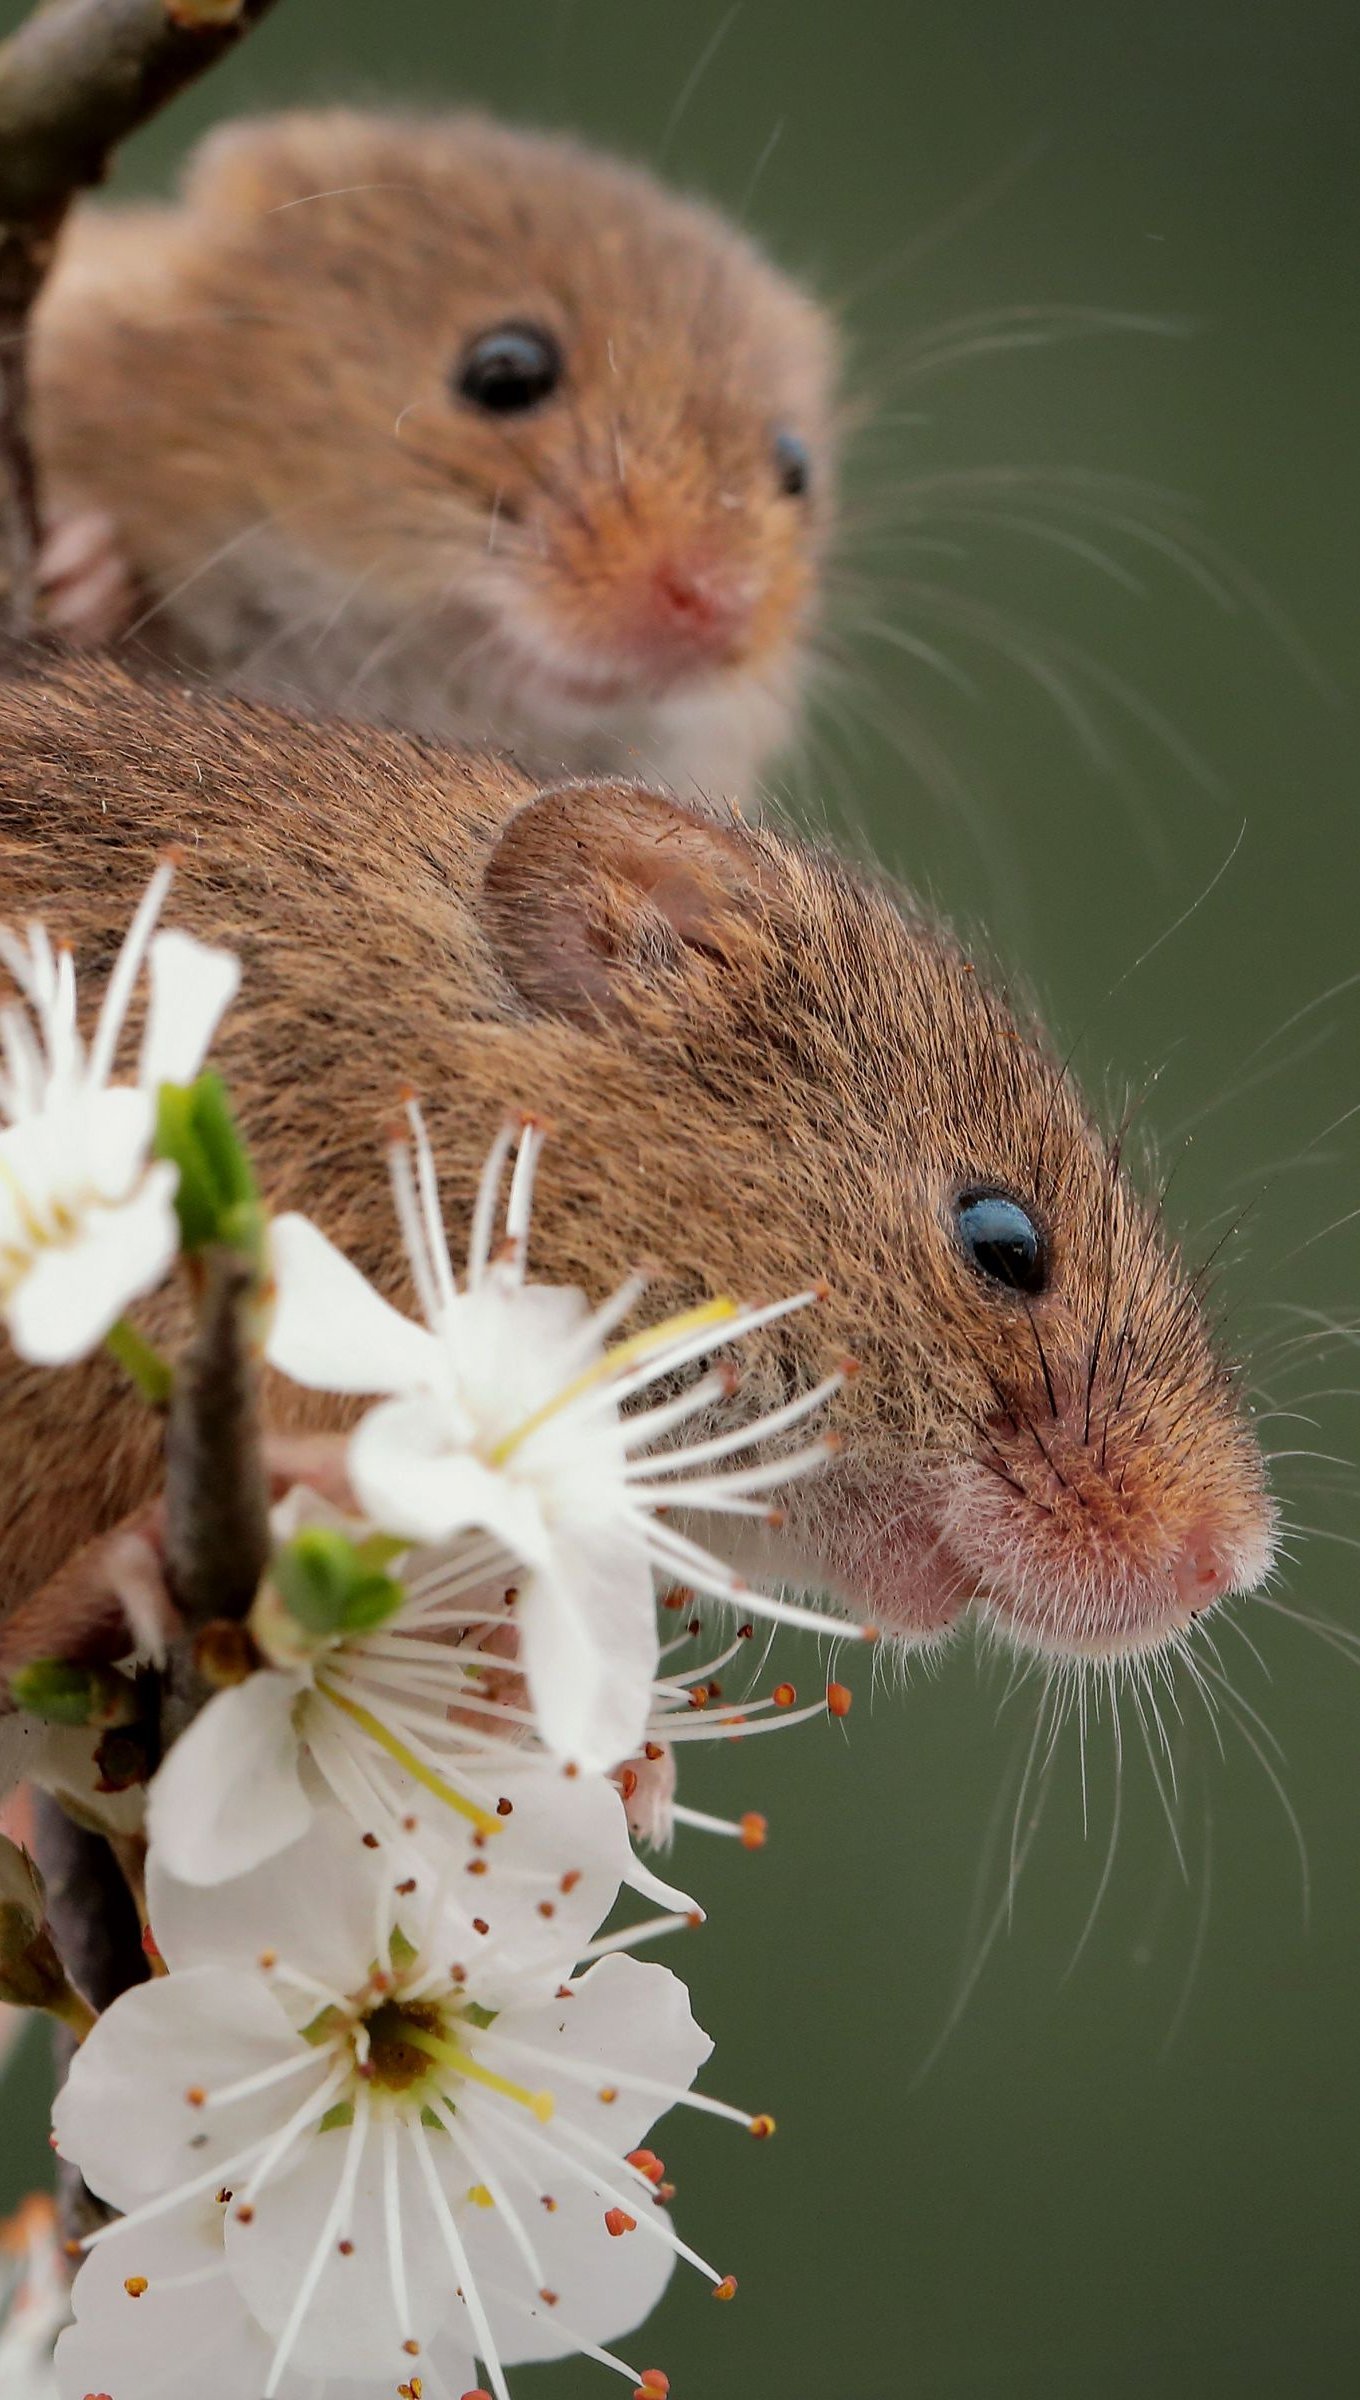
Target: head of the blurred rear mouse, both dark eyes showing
{"x":565,"y":412}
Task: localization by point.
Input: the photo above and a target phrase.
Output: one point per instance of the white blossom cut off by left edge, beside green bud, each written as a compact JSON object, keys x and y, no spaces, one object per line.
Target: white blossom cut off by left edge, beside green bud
{"x":88,"y":1216}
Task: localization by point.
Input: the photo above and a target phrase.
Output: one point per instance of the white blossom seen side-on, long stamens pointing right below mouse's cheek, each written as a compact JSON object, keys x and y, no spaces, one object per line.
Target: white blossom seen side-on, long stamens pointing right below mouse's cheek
{"x":507,"y":1412}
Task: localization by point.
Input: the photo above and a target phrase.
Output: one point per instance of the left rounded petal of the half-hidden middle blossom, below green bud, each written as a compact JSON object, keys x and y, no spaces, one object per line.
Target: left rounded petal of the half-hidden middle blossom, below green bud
{"x":229,"y":1792}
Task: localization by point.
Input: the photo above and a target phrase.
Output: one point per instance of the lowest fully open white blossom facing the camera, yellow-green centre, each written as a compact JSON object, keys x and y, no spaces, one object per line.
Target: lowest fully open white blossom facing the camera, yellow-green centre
{"x":361,"y":2144}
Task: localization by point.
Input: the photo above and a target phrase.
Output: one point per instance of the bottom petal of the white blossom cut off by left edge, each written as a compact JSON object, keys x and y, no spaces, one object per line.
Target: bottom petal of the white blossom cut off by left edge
{"x":73,"y":1295}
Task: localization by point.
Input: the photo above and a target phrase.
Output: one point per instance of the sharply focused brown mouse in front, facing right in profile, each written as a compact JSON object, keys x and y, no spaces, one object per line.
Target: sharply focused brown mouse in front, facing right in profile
{"x":759,"y":1069}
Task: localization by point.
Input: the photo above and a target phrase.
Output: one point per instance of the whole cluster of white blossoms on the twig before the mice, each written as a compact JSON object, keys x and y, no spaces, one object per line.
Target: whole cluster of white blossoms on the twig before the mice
{"x":378,"y":2120}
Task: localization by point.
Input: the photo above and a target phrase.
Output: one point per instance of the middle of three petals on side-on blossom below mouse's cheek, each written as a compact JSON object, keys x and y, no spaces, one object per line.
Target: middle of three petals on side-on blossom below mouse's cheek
{"x":411,"y":1480}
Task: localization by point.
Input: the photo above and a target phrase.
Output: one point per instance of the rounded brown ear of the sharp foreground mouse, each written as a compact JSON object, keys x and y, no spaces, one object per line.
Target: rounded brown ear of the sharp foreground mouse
{"x":601,"y":896}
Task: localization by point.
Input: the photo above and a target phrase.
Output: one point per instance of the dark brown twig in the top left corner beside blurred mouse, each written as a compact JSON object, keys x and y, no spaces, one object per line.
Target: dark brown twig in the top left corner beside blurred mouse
{"x":76,"y":80}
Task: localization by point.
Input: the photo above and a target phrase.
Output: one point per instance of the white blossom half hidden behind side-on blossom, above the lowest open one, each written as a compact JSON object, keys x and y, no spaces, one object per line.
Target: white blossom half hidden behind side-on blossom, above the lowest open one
{"x":426,"y":1712}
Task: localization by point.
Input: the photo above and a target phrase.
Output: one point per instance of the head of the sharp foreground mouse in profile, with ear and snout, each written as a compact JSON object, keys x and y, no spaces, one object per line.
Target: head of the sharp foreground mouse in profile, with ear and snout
{"x":810,"y":1079}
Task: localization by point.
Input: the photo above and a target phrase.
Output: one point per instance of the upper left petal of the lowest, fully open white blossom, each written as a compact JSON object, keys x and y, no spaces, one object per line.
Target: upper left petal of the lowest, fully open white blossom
{"x":311,"y":1904}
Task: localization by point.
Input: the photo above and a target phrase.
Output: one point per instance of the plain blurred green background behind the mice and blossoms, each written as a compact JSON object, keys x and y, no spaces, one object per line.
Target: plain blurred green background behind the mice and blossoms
{"x":1136,"y":2168}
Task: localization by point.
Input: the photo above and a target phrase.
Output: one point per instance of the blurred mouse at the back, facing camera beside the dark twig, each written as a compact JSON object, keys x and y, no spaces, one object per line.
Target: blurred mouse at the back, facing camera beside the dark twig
{"x":452,"y":426}
